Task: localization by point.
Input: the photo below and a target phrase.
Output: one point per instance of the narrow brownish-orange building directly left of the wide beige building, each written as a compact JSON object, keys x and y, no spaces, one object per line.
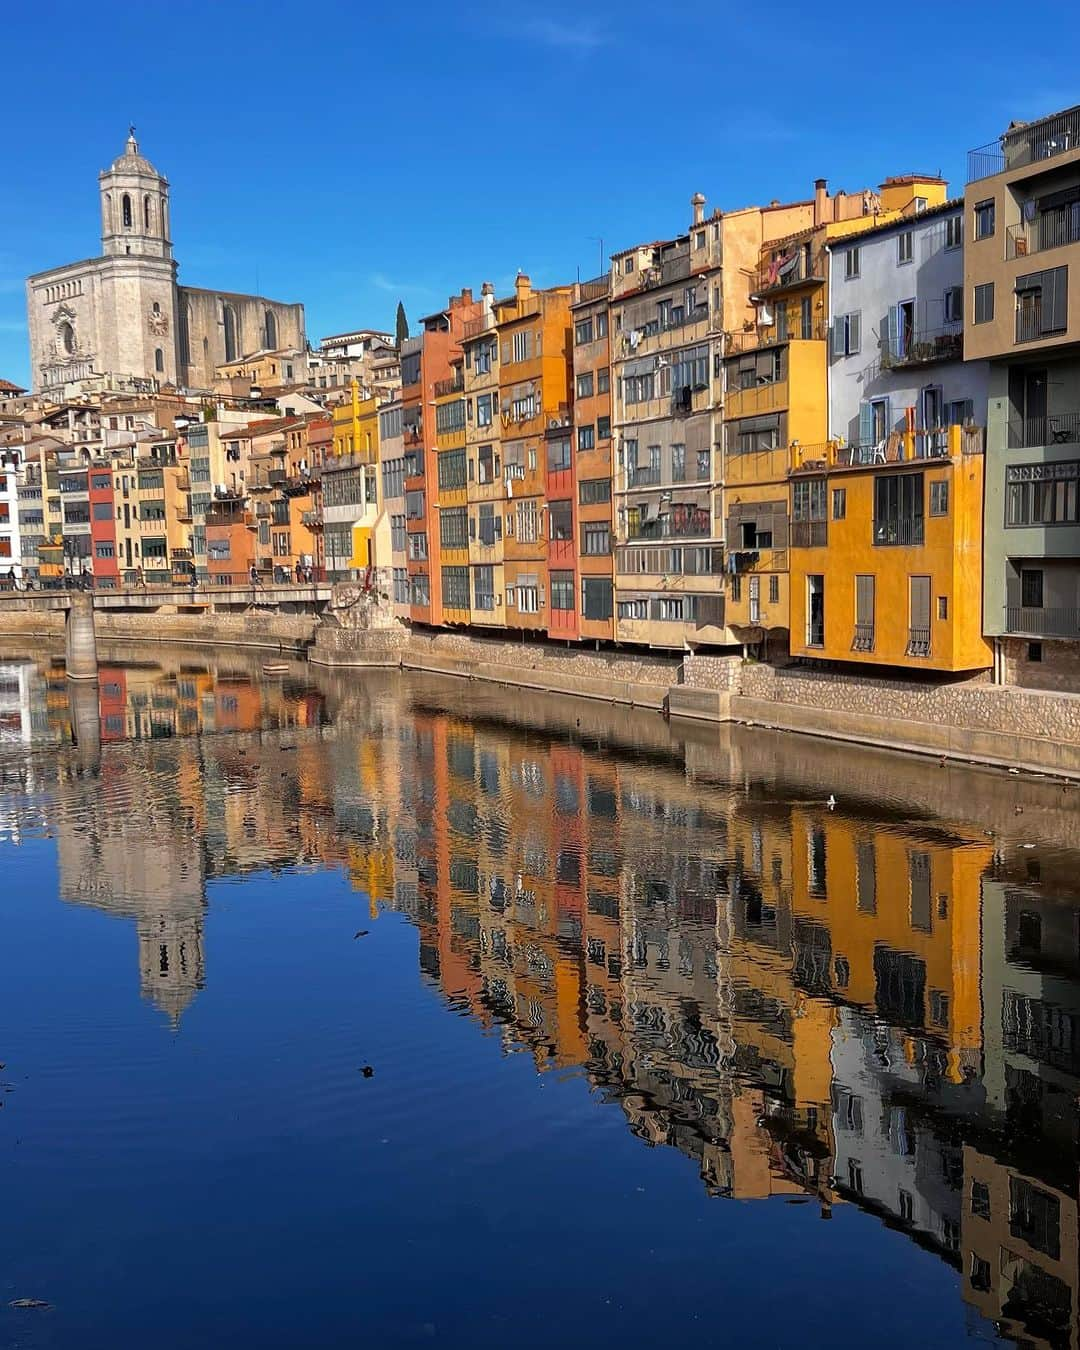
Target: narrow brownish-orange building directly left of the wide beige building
{"x":592,"y":450}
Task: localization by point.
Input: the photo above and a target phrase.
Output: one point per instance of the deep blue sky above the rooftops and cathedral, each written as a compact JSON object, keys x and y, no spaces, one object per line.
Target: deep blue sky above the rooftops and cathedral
{"x":350,"y":156}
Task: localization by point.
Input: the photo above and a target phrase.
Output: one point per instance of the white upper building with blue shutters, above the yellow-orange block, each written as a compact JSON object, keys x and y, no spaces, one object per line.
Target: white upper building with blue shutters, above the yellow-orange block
{"x":897,"y":333}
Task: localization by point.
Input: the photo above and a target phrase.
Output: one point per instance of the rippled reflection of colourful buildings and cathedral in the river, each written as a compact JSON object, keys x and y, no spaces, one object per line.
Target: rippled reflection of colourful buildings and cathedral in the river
{"x":877,"y":1005}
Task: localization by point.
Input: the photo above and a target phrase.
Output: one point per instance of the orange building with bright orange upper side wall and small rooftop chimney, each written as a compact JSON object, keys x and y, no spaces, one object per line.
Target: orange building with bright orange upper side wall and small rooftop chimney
{"x":534,"y":335}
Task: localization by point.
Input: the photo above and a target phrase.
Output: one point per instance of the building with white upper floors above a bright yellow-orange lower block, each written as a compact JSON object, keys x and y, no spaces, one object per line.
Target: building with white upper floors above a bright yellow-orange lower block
{"x":886,"y":533}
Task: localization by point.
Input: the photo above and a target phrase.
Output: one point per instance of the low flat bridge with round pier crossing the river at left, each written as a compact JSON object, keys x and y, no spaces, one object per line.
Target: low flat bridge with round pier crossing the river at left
{"x":82,"y":605}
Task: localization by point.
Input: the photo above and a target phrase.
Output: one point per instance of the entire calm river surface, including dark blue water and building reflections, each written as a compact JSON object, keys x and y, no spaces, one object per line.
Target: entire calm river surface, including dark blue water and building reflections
{"x":396,"y":1012}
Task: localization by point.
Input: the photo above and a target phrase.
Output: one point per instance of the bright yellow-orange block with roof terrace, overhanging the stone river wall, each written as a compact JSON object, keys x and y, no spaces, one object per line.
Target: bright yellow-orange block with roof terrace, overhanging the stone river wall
{"x":886,"y":557}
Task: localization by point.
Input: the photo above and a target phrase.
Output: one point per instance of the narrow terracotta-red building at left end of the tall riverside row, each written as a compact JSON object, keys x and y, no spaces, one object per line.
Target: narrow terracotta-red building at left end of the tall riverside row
{"x":426,"y":360}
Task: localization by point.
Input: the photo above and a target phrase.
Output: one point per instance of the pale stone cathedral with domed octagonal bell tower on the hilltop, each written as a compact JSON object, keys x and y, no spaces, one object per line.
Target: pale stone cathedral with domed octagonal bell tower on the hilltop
{"x":124,"y":318}
